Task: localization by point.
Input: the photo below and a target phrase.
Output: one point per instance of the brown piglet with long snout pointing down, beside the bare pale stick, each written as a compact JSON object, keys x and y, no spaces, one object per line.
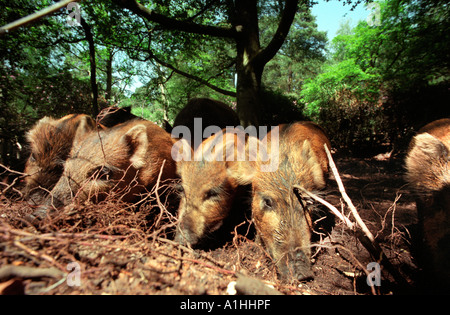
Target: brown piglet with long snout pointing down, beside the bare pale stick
{"x":282,"y":216}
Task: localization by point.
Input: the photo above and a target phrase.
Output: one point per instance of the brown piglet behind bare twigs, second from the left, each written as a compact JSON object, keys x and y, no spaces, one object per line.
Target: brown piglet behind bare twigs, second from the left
{"x":126,"y":159}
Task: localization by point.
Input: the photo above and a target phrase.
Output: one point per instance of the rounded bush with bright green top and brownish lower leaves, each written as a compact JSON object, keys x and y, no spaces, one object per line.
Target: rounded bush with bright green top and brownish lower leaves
{"x":344,"y":100}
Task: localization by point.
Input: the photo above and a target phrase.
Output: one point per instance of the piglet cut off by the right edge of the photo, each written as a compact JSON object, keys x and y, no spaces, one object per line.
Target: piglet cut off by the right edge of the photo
{"x":428,"y":174}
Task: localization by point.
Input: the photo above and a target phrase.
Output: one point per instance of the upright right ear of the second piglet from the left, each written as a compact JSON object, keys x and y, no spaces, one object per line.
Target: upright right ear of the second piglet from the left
{"x":137,"y":140}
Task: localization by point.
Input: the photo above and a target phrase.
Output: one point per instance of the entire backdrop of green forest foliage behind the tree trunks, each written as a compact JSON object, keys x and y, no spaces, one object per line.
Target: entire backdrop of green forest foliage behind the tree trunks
{"x":368,"y":86}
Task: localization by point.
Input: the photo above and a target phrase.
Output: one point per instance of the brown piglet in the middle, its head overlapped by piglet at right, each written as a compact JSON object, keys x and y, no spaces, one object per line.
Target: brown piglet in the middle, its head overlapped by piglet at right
{"x":213,"y":199}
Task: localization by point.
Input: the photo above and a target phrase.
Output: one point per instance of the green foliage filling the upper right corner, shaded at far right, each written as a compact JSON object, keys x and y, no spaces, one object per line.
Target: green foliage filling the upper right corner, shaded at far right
{"x":367,"y":94}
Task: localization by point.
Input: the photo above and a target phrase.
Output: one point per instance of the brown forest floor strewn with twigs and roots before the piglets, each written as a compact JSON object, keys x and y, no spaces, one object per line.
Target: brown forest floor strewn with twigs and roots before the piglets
{"x":111,"y":248}
